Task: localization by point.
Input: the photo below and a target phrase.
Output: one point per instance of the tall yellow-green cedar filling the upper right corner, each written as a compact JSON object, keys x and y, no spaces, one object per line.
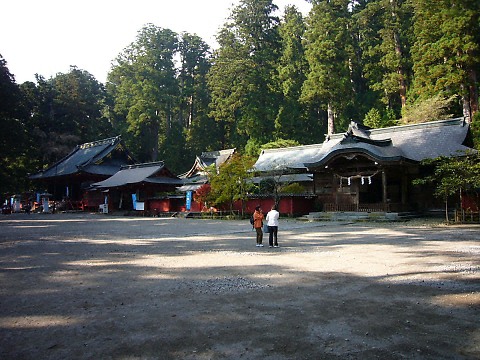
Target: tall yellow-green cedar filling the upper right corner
{"x":446,"y":50}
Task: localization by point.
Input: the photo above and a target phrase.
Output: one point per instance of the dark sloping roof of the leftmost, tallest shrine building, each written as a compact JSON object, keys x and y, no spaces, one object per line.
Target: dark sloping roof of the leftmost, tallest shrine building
{"x":89,"y":158}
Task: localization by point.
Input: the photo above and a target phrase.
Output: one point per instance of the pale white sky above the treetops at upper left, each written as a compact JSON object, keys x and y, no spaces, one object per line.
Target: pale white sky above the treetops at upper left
{"x":46,"y":37}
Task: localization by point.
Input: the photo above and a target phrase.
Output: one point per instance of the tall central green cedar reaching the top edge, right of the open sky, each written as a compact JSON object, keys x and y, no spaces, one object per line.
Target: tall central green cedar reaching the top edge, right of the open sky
{"x":241,"y":79}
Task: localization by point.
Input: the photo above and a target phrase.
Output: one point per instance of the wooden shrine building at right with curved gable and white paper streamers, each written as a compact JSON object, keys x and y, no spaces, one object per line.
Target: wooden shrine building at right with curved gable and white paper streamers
{"x":368,"y":169}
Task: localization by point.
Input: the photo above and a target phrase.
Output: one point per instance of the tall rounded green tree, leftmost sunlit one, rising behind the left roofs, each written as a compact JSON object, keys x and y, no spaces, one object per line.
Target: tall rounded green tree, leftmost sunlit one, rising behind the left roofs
{"x":145,"y":88}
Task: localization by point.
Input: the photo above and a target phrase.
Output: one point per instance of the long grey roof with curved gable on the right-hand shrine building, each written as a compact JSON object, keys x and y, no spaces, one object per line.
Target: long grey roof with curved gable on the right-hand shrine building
{"x":408,"y":143}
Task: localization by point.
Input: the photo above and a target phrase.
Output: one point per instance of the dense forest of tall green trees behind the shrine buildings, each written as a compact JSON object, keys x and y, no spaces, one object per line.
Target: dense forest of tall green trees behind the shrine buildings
{"x":276,"y":76}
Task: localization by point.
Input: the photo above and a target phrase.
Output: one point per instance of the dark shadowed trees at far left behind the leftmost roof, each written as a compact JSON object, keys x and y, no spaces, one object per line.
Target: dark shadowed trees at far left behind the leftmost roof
{"x":45,"y":120}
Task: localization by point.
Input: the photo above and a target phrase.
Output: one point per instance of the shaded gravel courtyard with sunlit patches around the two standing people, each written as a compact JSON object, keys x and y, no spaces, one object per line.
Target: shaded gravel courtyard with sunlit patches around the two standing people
{"x":90,"y":286}
